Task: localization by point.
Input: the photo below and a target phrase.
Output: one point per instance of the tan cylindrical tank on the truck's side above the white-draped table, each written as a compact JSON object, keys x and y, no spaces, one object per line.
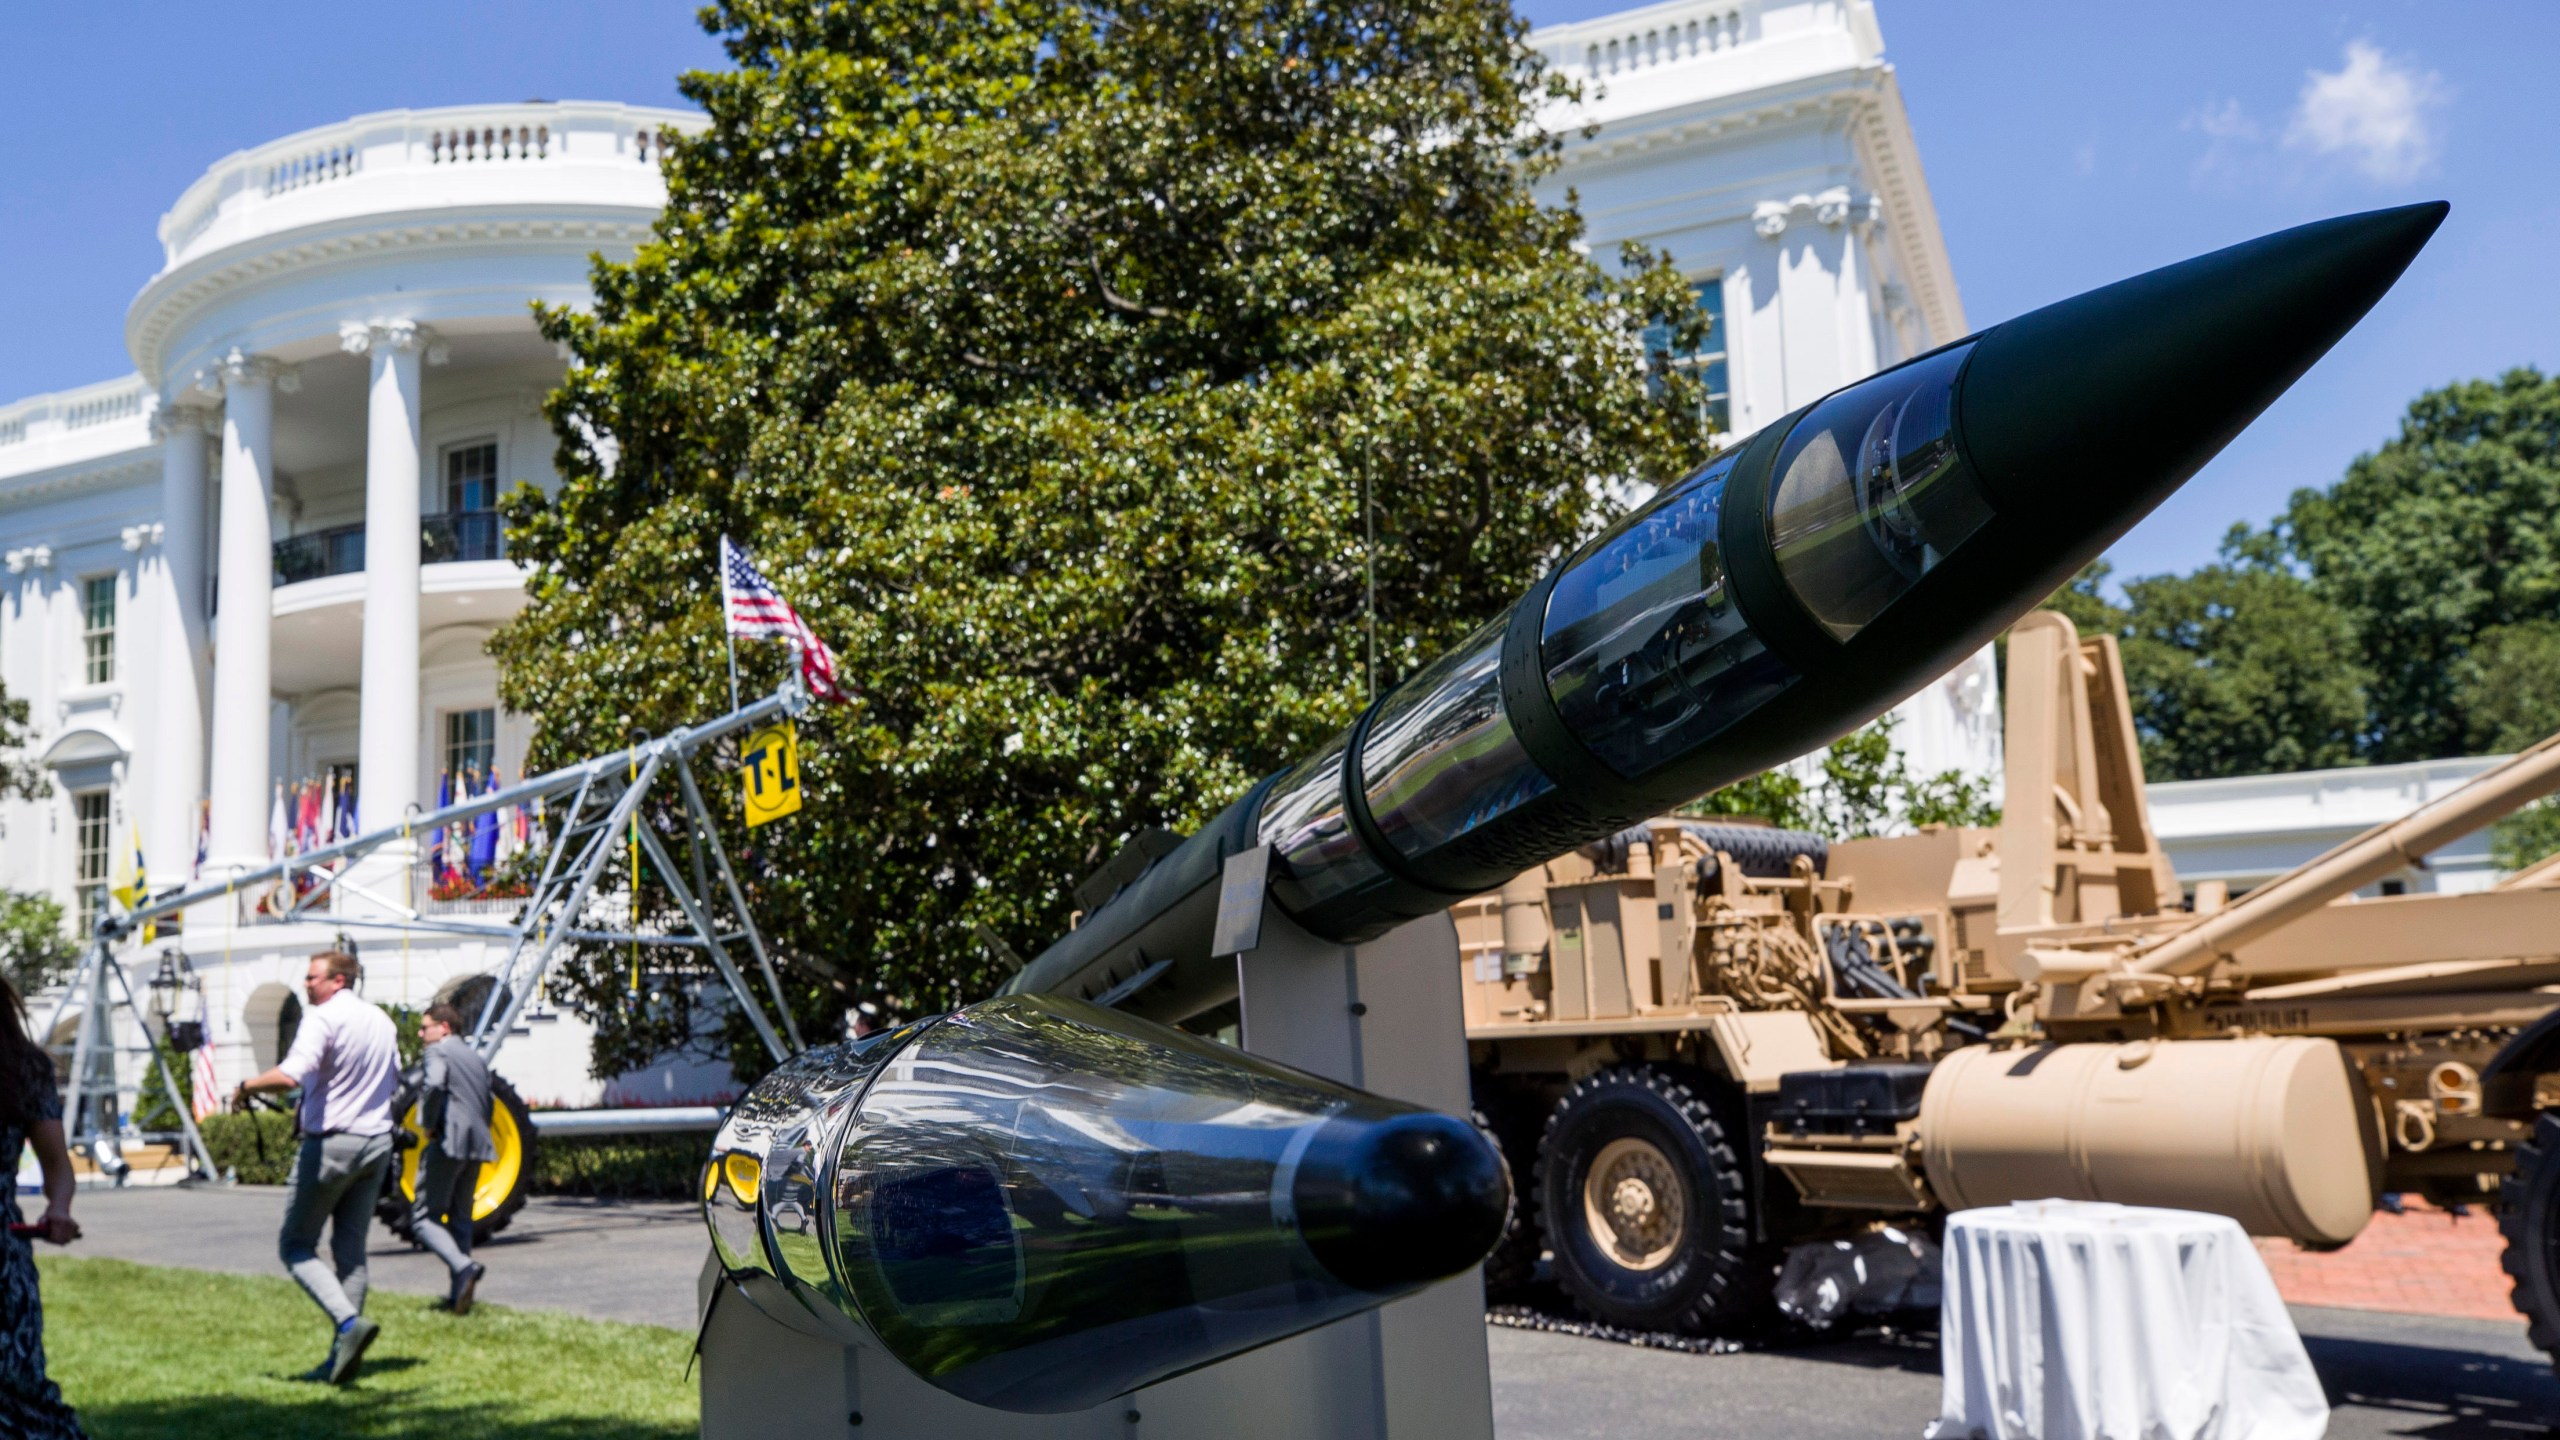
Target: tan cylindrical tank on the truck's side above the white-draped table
{"x":2269,"y":1131}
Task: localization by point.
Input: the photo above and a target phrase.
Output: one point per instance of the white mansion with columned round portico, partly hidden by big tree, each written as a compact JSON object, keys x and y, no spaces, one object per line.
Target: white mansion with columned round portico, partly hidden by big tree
{"x":262,"y":568}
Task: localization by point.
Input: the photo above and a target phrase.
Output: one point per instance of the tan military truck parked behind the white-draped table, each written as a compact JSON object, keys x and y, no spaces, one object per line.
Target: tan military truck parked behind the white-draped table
{"x":1706,"y":1044}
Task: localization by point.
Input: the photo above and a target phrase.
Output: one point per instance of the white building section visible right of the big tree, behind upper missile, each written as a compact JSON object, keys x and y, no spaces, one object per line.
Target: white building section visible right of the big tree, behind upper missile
{"x":1763,"y":145}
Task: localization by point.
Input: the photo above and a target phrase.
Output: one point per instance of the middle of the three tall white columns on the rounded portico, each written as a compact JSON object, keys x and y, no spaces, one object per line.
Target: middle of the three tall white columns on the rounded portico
{"x":242,"y":691}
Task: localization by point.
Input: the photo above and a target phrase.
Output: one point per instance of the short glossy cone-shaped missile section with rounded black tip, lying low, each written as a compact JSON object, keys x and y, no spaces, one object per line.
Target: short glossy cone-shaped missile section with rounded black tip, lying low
{"x":1038,"y":1206}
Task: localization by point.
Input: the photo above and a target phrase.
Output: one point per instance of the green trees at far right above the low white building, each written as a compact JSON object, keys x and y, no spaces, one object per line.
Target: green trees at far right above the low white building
{"x":2408,"y":611}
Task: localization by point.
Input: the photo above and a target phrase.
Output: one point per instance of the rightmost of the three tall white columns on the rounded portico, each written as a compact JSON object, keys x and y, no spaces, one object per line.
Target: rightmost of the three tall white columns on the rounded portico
{"x":388,"y":708}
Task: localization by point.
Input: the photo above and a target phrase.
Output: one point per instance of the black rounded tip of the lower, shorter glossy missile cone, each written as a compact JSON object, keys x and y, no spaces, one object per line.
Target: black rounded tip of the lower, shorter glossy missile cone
{"x":1404,"y":1200}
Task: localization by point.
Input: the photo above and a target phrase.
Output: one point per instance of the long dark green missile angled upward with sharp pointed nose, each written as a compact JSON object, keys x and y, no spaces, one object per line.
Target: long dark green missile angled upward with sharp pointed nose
{"x":1783,"y":596}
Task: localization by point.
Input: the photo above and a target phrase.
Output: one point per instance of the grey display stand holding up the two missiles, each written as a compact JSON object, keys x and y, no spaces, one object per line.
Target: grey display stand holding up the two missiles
{"x":1384,"y":1019}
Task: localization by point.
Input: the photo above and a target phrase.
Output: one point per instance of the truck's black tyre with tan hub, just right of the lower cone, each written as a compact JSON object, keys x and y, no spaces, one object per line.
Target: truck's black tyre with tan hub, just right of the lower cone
{"x":1645,"y":1206}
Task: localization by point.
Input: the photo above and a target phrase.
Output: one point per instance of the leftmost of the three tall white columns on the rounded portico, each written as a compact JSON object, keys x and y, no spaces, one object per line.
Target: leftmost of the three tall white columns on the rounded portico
{"x":175,"y":603}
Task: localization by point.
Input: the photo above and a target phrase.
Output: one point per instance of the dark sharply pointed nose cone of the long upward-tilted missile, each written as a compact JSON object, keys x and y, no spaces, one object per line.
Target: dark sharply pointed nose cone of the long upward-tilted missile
{"x":2108,"y":401}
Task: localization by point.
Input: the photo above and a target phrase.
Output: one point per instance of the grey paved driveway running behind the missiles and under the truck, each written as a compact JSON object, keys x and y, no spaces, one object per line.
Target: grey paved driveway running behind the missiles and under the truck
{"x":2387,"y":1375}
